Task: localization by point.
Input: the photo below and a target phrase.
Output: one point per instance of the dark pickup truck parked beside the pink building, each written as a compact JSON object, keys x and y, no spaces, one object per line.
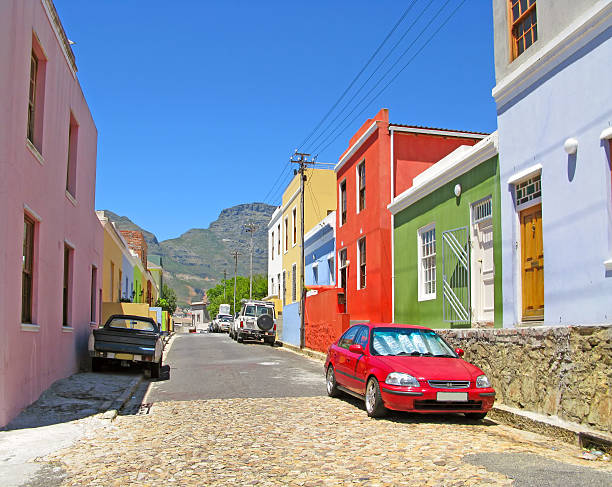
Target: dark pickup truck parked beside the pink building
{"x":127,"y":339}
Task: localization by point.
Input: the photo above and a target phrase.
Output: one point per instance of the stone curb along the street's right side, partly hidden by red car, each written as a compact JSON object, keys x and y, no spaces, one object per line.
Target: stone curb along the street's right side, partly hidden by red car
{"x":573,"y":433}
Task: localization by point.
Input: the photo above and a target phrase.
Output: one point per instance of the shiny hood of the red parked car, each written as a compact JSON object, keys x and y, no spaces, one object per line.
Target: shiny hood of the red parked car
{"x":432,"y":368}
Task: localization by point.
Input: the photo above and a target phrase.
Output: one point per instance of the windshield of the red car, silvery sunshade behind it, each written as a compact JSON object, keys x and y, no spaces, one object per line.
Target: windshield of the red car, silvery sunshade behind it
{"x":409,"y":341}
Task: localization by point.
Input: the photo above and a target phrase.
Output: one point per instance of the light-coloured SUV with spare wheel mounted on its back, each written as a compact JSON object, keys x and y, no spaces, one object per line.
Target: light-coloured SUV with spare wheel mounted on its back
{"x":256,"y":320}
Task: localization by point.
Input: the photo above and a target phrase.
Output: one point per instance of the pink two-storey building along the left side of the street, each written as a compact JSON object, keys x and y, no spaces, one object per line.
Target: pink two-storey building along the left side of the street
{"x":50,"y":238}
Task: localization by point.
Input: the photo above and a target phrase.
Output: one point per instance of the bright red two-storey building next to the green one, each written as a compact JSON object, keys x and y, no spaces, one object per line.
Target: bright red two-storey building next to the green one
{"x":382,"y":158}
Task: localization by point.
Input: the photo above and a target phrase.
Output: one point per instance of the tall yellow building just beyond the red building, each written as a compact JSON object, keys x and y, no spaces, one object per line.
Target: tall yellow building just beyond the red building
{"x":319,"y":201}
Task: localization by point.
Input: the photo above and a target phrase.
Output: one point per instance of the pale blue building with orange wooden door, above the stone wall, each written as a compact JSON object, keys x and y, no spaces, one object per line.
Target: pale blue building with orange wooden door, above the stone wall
{"x":554,"y":103}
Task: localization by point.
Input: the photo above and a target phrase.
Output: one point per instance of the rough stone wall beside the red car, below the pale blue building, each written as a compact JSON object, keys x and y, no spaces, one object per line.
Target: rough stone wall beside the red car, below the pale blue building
{"x":559,"y":371}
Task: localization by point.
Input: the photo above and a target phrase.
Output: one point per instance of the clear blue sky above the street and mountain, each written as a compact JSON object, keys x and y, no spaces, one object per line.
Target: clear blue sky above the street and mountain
{"x":203,"y":102}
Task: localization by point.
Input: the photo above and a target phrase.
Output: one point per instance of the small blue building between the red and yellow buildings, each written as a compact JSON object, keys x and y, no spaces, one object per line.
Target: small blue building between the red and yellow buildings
{"x":319,"y":252}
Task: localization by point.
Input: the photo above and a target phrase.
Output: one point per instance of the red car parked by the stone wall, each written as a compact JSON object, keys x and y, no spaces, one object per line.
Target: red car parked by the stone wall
{"x":406,"y":368}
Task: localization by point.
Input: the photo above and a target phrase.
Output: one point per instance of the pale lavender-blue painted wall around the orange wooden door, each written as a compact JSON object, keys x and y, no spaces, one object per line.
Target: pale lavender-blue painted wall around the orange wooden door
{"x":561,"y":101}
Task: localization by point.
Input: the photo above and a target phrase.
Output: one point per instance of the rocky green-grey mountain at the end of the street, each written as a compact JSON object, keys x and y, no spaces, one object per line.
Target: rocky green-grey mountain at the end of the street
{"x":196,"y":260}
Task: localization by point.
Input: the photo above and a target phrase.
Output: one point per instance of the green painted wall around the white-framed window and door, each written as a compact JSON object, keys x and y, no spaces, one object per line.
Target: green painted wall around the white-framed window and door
{"x":447,"y":212}
